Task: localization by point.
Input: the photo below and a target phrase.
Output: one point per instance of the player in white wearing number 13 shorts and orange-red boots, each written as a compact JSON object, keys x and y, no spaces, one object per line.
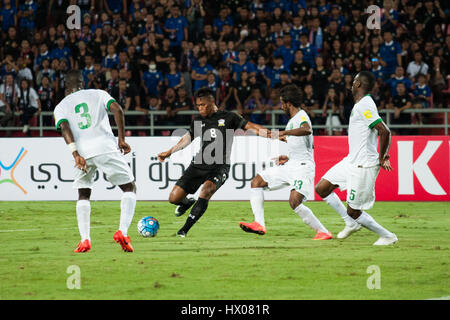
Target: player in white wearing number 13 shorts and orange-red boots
{"x":295,"y":170}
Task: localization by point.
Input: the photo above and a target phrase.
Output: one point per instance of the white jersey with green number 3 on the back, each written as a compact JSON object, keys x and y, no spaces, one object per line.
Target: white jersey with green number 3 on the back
{"x":86,"y":111}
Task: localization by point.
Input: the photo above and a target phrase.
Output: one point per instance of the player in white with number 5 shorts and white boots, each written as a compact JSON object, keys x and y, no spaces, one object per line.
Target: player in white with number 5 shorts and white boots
{"x":358,"y":172}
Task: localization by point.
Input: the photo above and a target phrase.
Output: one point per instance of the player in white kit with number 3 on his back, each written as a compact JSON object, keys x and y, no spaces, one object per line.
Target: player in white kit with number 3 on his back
{"x":82,"y":117}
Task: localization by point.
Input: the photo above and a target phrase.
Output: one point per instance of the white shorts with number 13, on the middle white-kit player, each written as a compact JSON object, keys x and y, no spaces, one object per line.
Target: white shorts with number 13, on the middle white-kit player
{"x":298,"y":176}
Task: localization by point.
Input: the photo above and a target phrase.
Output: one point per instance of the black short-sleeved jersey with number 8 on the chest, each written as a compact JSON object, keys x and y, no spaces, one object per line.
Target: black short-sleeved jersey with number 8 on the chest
{"x":216,"y":138}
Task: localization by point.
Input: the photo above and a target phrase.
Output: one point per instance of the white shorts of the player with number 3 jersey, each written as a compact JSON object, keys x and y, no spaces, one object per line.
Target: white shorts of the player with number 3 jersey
{"x":113,"y":165}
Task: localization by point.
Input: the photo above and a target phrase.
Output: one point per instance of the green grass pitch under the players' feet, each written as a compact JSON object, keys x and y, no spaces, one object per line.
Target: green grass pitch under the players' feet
{"x":218,"y":260}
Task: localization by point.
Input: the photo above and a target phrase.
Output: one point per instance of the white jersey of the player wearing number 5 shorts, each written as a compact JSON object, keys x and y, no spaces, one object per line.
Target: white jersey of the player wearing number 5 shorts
{"x":362,"y":137}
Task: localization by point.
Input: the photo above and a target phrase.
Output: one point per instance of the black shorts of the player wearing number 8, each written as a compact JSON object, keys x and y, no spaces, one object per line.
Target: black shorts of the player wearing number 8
{"x":194,"y":177}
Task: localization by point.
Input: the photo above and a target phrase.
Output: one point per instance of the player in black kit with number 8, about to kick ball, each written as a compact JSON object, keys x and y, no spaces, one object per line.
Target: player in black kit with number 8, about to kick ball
{"x":211,"y":165}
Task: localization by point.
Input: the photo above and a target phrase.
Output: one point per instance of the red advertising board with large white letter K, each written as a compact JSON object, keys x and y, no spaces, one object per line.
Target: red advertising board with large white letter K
{"x":421,"y":167}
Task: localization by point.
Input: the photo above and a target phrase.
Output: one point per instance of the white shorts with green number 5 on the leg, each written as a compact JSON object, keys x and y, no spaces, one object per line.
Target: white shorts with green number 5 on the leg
{"x":358,"y":181}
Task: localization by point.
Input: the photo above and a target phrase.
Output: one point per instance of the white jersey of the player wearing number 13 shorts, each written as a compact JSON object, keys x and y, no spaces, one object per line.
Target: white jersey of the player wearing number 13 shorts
{"x":300,"y":148}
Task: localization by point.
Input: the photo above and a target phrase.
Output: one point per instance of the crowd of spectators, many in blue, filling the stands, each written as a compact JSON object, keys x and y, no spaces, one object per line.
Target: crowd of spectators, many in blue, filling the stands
{"x":153,"y":54}
